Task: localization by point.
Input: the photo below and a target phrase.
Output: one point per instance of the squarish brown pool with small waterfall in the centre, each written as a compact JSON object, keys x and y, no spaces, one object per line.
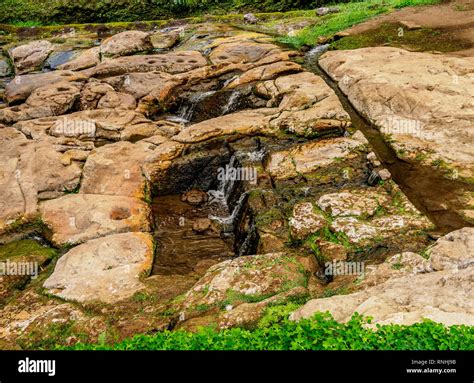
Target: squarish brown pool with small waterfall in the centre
{"x":201,"y":224}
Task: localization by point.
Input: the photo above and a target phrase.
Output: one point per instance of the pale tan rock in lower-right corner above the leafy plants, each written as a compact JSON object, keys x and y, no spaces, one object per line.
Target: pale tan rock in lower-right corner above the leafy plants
{"x":444,"y":296}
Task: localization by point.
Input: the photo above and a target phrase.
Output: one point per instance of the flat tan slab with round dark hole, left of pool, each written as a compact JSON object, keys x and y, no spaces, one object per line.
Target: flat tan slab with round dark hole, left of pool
{"x":78,"y":218}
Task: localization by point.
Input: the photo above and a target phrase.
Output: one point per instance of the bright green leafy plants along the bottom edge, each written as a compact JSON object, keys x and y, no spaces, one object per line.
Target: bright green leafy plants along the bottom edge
{"x":321,"y":332}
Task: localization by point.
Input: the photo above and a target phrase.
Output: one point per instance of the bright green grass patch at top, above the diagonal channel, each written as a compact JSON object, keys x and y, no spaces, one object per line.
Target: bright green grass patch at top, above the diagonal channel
{"x":350,"y":14}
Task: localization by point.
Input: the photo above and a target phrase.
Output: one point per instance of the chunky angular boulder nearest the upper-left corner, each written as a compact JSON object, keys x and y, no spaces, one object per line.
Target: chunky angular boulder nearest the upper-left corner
{"x":29,"y":57}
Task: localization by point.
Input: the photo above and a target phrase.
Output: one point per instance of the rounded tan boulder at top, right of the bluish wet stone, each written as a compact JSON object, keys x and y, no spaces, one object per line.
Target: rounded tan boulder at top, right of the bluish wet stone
{"x":126,"y":43}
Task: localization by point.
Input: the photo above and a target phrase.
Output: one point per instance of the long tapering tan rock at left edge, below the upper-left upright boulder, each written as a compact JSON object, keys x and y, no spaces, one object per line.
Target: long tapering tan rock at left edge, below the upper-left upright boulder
{"x":22,"y":86}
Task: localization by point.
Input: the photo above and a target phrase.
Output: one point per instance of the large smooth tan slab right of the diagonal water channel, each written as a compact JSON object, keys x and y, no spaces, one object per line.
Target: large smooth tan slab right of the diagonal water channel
{"x":423,"y":101}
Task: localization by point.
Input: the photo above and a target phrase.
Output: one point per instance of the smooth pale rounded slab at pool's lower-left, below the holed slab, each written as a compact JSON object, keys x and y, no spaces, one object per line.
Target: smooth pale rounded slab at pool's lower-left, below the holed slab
{"x":106,"y":269}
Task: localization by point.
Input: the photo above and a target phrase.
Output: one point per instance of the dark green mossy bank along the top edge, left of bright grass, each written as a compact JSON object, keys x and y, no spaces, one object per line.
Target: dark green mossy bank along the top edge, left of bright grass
{"x":34,"y":12}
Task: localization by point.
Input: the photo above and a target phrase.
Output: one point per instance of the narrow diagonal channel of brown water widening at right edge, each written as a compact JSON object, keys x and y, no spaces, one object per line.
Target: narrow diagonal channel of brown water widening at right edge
{"x":424,"y":187}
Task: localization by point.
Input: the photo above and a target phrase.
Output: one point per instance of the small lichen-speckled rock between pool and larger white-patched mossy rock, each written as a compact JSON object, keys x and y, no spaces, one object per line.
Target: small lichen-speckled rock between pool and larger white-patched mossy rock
{"x":305,"y":221}
